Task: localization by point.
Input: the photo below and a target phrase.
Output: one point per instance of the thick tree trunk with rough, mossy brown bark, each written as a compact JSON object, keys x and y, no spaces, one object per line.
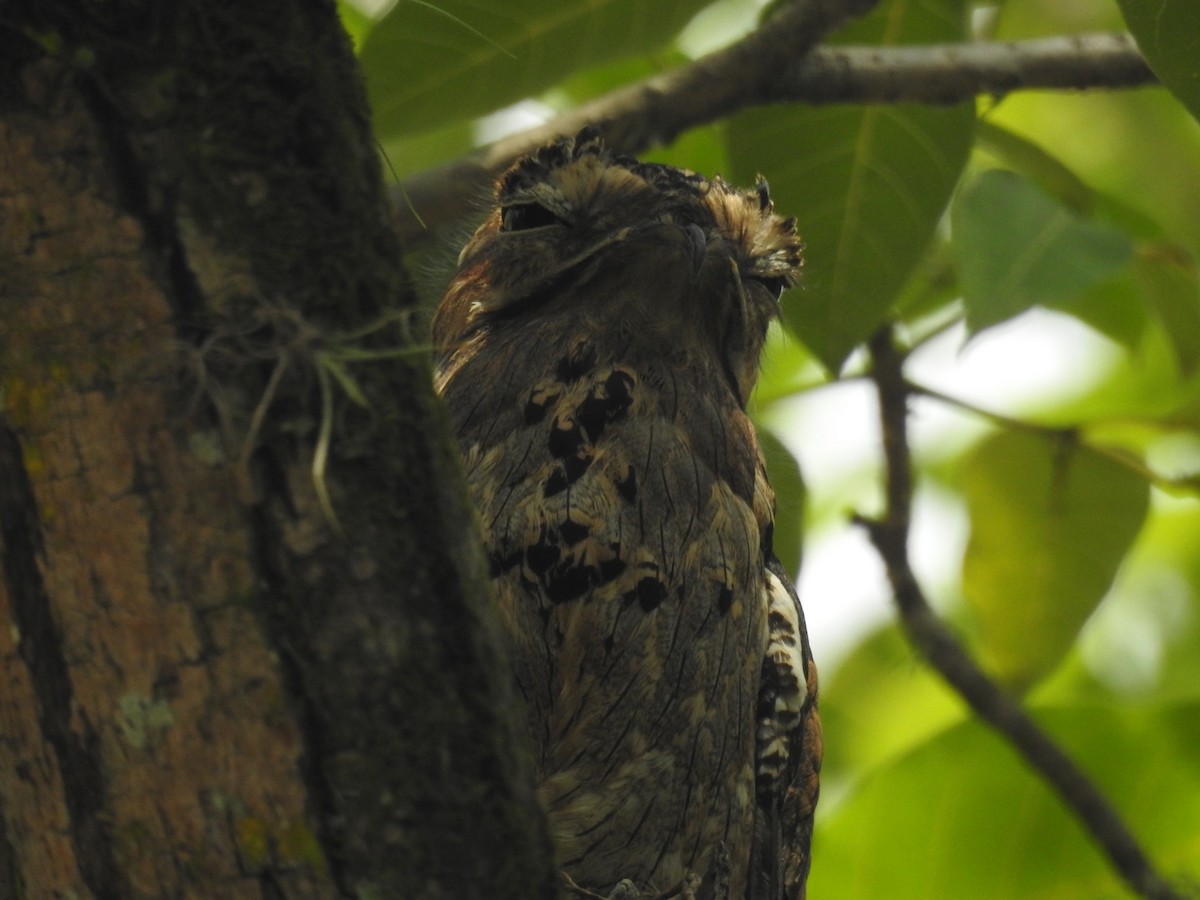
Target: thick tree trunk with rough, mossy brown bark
{"x":208,"y":688}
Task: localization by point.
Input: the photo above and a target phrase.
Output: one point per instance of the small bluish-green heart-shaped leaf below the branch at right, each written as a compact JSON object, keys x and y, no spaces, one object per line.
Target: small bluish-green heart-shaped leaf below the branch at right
{"x":1018,"y":248}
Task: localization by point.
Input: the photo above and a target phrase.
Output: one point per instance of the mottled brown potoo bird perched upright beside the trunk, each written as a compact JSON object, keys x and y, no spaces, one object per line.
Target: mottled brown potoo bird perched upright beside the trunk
{"x":597,"y":350}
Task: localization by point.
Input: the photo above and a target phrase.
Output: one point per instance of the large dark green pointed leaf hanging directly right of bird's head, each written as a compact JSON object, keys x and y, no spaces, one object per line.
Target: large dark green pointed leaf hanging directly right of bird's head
{"x":868,"y":184}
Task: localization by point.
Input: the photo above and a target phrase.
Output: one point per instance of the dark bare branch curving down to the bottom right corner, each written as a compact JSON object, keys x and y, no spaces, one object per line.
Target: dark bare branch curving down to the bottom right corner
{"x":931,"y":637}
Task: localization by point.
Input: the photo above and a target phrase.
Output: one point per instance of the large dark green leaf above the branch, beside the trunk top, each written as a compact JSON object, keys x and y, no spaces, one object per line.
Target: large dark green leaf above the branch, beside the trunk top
{"x":436,"y":62}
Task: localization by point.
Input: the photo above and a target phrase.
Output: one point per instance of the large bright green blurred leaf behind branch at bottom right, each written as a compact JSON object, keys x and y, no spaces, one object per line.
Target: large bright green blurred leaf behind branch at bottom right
{"x":964,"y":818}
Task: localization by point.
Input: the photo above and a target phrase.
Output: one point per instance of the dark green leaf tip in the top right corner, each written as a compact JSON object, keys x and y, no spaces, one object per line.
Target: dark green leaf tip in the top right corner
{"x":1168,"y":33}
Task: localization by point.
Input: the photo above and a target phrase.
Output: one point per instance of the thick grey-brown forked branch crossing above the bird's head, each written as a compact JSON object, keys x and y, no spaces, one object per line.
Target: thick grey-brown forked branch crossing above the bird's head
{"x":775,"y":65}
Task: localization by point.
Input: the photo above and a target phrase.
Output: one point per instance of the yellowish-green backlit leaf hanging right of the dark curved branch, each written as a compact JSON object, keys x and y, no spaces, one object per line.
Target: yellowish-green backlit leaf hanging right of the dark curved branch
{"x":1051,"y":524}
